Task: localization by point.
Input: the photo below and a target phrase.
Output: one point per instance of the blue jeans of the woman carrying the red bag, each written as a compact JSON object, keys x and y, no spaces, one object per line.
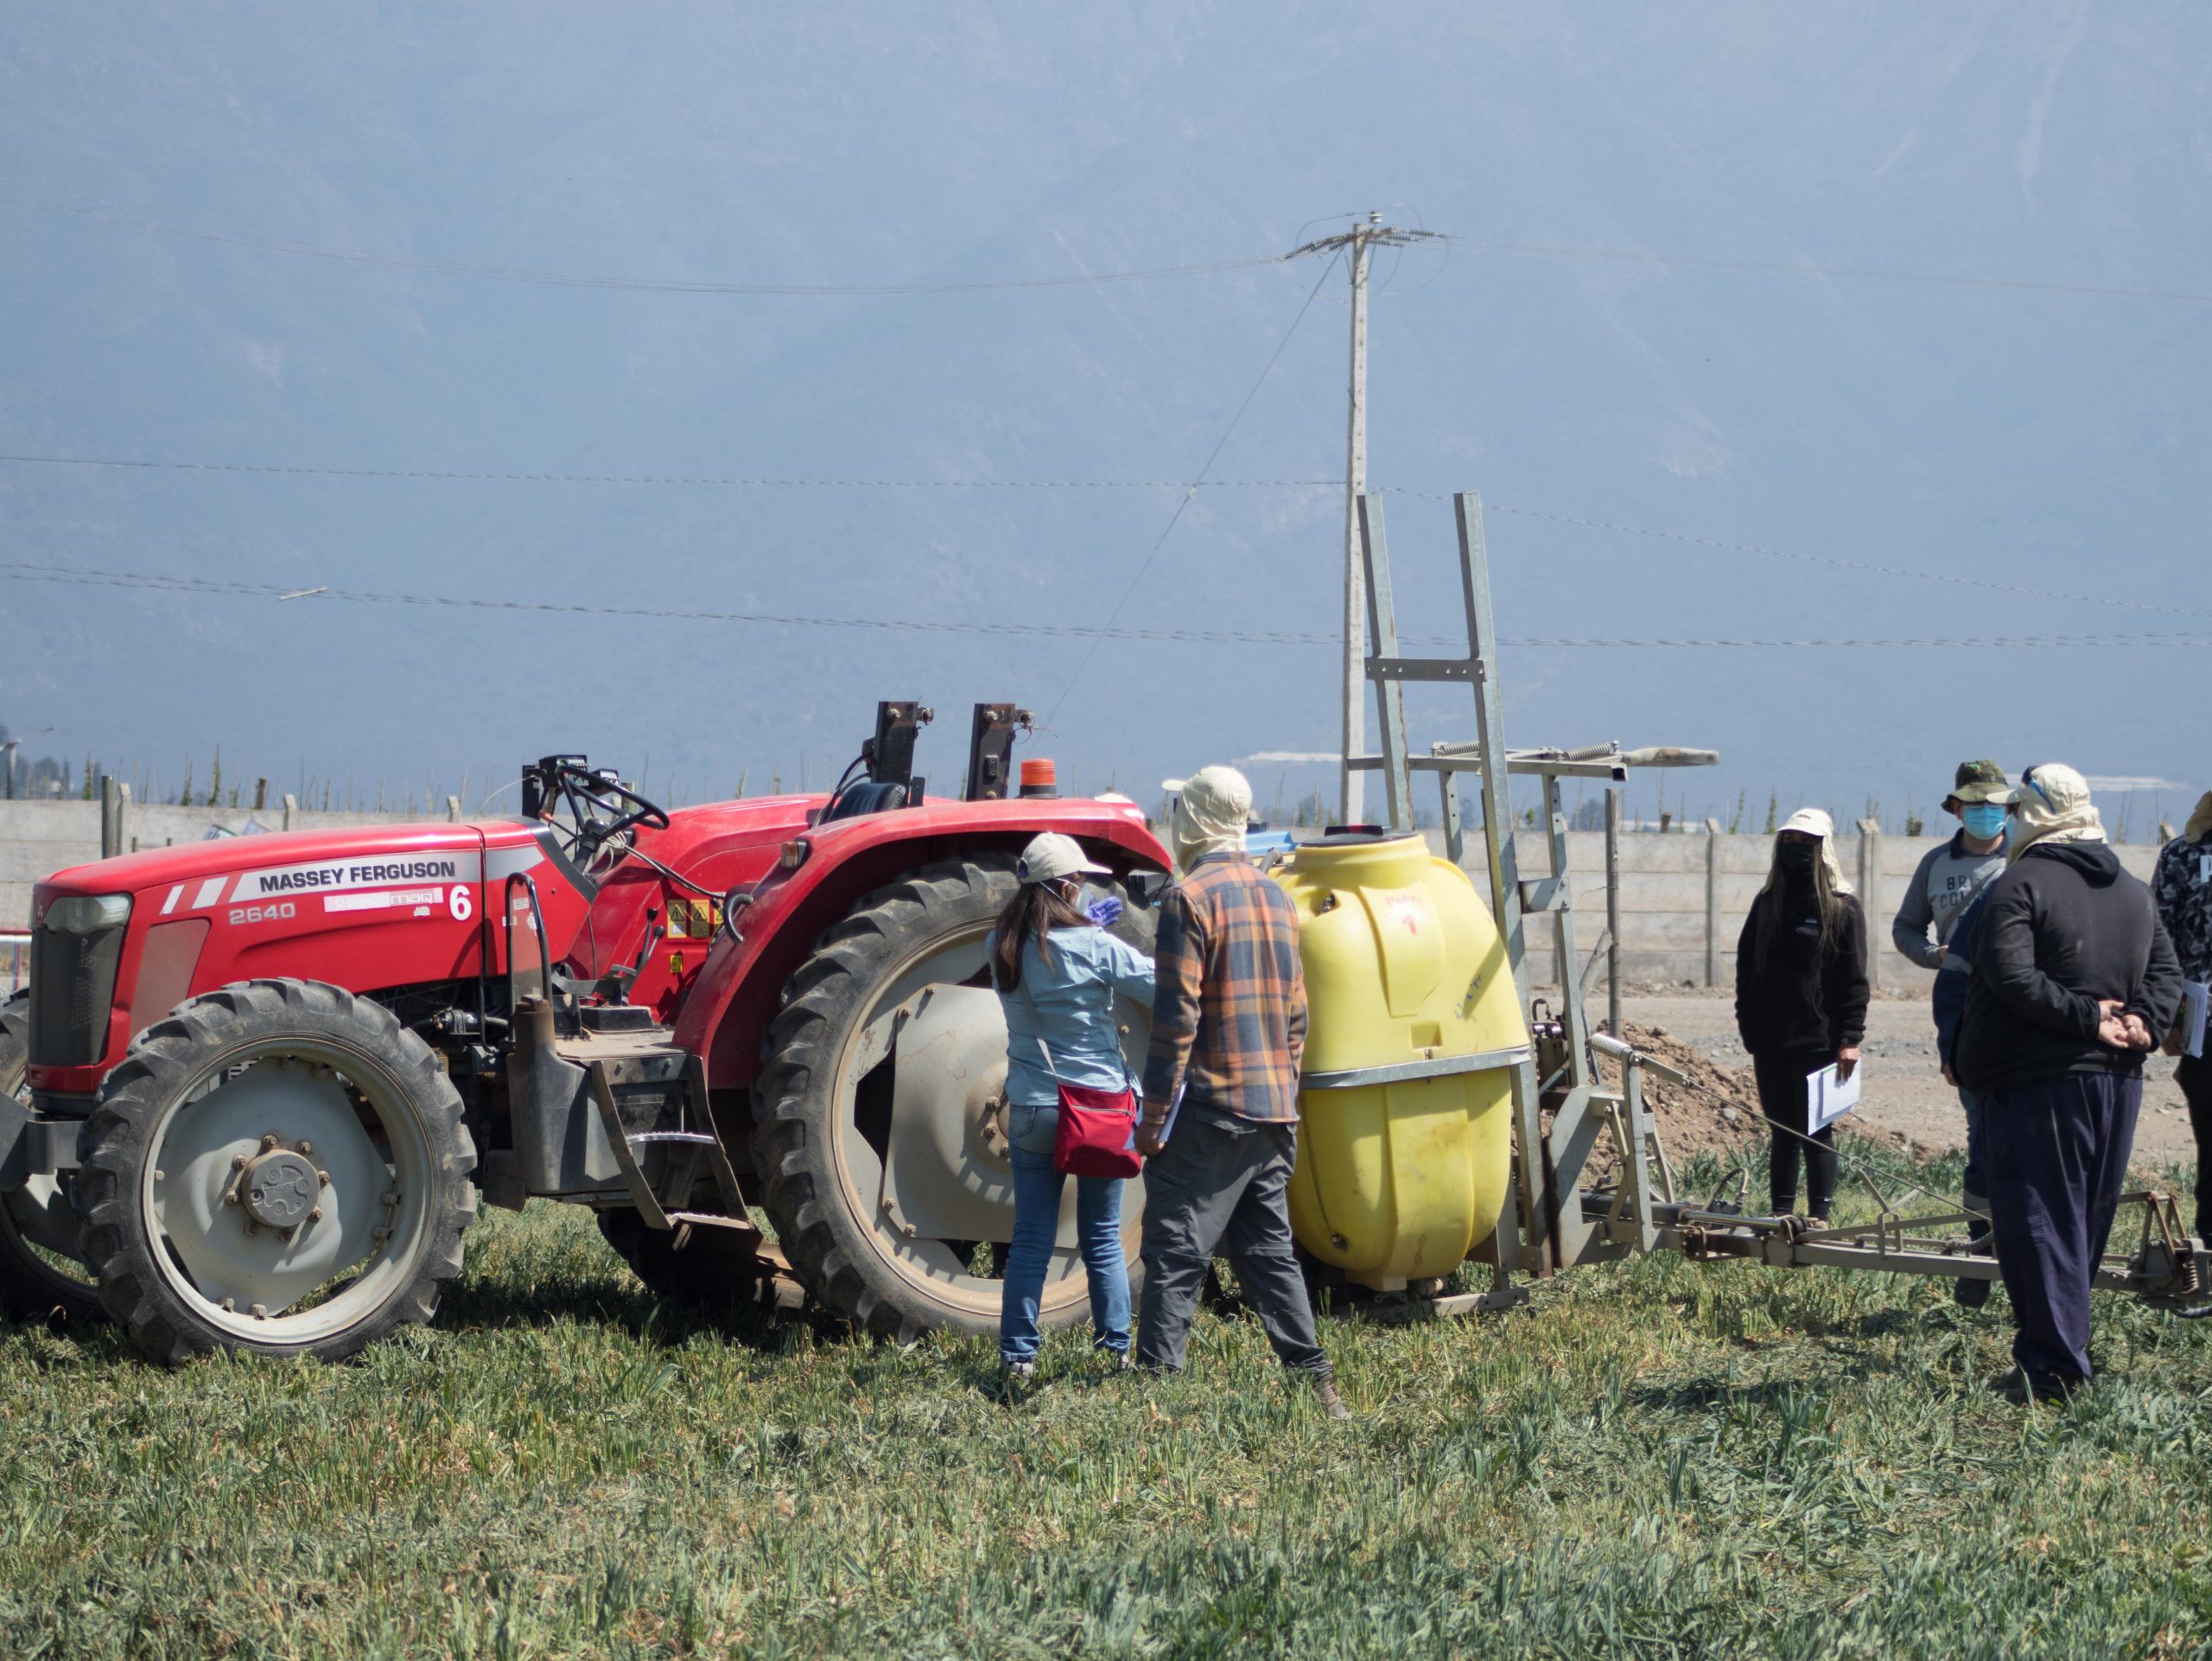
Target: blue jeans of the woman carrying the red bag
{"x":1036,"y":1224}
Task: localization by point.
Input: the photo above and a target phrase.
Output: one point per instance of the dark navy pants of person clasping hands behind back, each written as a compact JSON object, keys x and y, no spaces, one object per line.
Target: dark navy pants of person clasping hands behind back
{"x":2056,"y":1156}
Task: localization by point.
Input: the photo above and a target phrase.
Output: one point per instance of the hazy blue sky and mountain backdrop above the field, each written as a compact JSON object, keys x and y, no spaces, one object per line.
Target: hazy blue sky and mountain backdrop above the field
{"x":1751,"y":324}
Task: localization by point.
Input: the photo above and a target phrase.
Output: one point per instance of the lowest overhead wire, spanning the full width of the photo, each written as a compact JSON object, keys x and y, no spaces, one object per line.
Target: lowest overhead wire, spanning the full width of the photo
{"x":156,"y":583}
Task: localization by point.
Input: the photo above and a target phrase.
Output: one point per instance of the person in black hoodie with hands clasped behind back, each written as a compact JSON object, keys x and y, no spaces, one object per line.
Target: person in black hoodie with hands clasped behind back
{"x":2072,"y":976}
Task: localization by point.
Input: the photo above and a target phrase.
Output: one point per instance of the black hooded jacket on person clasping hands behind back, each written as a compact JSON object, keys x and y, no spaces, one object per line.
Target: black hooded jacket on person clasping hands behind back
{"x":2060,"y":932}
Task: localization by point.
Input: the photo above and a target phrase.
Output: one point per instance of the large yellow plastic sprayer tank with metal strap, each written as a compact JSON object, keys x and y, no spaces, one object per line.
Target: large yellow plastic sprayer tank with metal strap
{"x":1404,"y":1151}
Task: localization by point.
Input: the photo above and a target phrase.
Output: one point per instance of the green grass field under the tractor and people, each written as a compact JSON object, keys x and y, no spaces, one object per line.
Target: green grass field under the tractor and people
{"x":1653,"y":1459}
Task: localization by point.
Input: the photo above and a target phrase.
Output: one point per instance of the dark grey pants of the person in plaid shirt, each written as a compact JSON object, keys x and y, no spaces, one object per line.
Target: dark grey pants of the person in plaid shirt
{"x":1224,"y":1184}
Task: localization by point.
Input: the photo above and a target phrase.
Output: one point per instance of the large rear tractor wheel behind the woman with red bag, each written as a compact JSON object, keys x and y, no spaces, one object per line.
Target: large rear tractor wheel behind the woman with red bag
{"x":877,"y":1118}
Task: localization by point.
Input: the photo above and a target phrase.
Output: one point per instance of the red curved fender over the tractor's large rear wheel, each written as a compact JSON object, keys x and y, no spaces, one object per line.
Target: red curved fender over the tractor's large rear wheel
{"x":740,"y":988}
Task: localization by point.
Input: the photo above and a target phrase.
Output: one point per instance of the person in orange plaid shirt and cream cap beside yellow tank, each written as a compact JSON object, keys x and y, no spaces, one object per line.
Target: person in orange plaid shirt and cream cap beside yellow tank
{"x":1229,"y":1025}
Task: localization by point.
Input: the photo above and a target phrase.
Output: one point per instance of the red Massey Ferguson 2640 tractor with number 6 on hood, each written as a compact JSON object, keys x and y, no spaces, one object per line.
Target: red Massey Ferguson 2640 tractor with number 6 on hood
{"x":258,"y":1085}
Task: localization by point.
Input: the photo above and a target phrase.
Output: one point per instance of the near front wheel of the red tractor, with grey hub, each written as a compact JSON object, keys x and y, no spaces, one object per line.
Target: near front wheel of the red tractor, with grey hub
{"x":278,"y":1167}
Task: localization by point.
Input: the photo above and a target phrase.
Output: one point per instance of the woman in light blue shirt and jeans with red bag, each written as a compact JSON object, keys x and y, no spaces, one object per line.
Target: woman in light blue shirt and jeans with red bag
{"x":1058,"y":972}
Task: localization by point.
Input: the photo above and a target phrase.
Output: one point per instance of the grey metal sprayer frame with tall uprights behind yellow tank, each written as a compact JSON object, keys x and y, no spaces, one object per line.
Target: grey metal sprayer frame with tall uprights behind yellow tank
{"x":1554,"y":1222}
